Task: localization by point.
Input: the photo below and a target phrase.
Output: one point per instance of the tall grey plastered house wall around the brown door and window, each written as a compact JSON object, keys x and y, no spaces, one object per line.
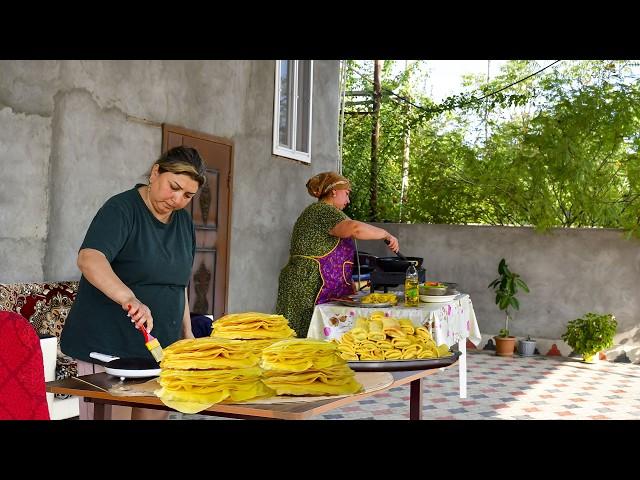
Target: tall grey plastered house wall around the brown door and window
{"x":73,"y":133}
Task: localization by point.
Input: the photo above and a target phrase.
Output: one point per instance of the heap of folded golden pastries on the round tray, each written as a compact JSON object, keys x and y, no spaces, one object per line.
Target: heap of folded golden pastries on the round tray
{"x":389,"y":338}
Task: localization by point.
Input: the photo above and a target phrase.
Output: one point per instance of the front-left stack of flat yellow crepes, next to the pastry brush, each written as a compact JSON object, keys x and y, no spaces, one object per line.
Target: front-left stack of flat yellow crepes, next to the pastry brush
{"x":197,"y":373}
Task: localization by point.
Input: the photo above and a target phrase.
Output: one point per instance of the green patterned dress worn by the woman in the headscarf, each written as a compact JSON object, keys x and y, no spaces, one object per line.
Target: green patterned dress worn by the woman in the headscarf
{"x":300,"y":280}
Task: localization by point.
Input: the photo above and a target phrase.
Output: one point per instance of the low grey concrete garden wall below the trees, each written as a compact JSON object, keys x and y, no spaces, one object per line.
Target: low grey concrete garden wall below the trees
{"x":569,"y":271}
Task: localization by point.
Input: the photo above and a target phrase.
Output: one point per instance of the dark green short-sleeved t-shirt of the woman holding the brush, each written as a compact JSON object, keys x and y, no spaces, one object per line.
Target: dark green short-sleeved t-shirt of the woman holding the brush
{"x":152,"y":258}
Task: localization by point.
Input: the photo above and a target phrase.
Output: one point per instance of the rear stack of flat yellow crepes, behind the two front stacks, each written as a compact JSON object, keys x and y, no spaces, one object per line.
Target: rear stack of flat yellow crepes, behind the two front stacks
{"x":252,"y":325}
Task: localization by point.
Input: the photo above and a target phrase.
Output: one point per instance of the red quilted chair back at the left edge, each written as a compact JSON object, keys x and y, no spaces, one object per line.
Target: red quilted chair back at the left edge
{"x":22,"y":386}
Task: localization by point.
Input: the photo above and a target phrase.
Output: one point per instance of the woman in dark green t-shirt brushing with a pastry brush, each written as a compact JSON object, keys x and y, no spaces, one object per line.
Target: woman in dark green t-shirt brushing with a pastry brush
{"x":136,"y":260}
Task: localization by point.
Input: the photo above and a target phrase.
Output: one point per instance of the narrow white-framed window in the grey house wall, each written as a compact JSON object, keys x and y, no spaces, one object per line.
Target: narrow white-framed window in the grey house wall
{"x":292,"y":109}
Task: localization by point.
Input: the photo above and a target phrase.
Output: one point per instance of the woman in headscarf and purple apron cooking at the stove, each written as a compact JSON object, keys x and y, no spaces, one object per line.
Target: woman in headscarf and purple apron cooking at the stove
{"x":321,"y":253}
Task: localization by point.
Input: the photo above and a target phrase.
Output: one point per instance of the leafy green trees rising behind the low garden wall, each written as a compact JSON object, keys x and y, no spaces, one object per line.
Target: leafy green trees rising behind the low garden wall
{"x":557,"y":150}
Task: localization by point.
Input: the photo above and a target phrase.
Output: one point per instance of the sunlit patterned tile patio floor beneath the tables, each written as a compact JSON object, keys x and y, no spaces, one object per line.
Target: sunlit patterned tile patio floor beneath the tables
{"x":524,"y":388}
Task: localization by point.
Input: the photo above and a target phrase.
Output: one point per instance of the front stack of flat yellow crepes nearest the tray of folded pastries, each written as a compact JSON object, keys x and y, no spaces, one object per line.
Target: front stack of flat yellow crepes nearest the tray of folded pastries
{"x":305,"y":366}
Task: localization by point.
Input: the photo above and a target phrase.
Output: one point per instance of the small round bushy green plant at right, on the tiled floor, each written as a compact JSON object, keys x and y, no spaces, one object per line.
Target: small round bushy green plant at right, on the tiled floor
{"x":590,"y":334}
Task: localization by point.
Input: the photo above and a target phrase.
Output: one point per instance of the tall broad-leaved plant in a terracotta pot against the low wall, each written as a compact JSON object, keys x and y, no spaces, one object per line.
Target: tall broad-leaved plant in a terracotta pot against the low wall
{"x":506,"y":287}
